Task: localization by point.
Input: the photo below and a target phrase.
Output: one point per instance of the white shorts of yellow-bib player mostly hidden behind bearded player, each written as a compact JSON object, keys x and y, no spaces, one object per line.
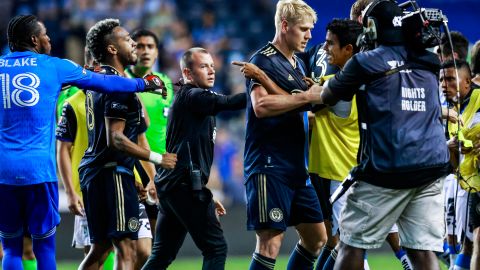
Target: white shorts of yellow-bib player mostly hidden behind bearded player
{"x":81,"y":236}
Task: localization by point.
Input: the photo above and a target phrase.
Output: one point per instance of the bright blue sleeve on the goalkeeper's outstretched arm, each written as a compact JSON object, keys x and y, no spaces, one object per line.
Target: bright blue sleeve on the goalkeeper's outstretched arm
{"x":69,"y":72}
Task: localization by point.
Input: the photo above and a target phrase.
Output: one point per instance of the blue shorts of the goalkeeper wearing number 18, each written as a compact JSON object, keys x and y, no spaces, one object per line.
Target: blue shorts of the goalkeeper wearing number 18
{"x":31,"y":207}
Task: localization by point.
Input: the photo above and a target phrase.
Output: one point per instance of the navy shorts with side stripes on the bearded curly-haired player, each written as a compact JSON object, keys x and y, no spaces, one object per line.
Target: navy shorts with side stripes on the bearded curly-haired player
{"x":111,"y":205}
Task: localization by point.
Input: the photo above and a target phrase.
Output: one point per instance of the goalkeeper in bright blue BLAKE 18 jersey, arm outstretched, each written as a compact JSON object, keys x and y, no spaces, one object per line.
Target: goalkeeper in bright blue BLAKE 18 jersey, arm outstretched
{"x":31,"y":82}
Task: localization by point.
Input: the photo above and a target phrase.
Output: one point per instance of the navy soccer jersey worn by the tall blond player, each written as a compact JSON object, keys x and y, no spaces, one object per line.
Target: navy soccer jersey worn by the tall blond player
{"x":277,"y":144}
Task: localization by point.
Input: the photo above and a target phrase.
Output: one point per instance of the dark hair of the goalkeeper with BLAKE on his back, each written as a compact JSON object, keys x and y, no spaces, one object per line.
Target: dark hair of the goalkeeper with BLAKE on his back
{"x":20,"y":30}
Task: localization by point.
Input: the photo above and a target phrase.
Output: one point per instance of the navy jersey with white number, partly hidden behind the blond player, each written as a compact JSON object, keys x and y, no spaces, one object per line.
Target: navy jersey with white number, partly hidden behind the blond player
{"x":317,"y":64}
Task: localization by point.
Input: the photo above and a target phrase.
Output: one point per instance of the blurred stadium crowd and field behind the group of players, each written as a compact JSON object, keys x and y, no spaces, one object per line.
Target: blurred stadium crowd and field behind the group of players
{"x":230,"y":30}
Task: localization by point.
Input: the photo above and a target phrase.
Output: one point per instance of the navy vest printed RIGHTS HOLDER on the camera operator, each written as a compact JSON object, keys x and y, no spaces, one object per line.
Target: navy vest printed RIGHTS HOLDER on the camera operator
{"x":399,"y":114}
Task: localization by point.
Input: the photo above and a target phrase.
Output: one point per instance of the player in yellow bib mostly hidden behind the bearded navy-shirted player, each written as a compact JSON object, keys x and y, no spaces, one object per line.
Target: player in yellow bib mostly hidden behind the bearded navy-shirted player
{"x":72,"y":142}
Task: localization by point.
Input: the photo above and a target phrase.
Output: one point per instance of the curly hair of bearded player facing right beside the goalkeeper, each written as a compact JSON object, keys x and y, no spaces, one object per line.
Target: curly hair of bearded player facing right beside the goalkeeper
{"x":97,"y":37}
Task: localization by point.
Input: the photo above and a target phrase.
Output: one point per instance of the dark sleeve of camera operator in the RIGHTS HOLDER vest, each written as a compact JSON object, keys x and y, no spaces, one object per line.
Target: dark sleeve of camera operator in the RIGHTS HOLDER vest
{"x":346,"y":82}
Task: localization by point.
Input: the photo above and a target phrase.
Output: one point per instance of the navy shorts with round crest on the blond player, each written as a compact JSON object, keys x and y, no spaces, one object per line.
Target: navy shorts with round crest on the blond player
{"x":273,"y":204}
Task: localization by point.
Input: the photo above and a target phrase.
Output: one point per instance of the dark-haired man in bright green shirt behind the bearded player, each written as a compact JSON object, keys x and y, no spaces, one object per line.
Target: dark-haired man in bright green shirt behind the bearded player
{"x":156,"y":107}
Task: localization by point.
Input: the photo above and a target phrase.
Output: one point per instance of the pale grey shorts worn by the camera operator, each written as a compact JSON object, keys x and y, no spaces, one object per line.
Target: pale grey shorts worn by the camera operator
{"x":371,"y":211}
